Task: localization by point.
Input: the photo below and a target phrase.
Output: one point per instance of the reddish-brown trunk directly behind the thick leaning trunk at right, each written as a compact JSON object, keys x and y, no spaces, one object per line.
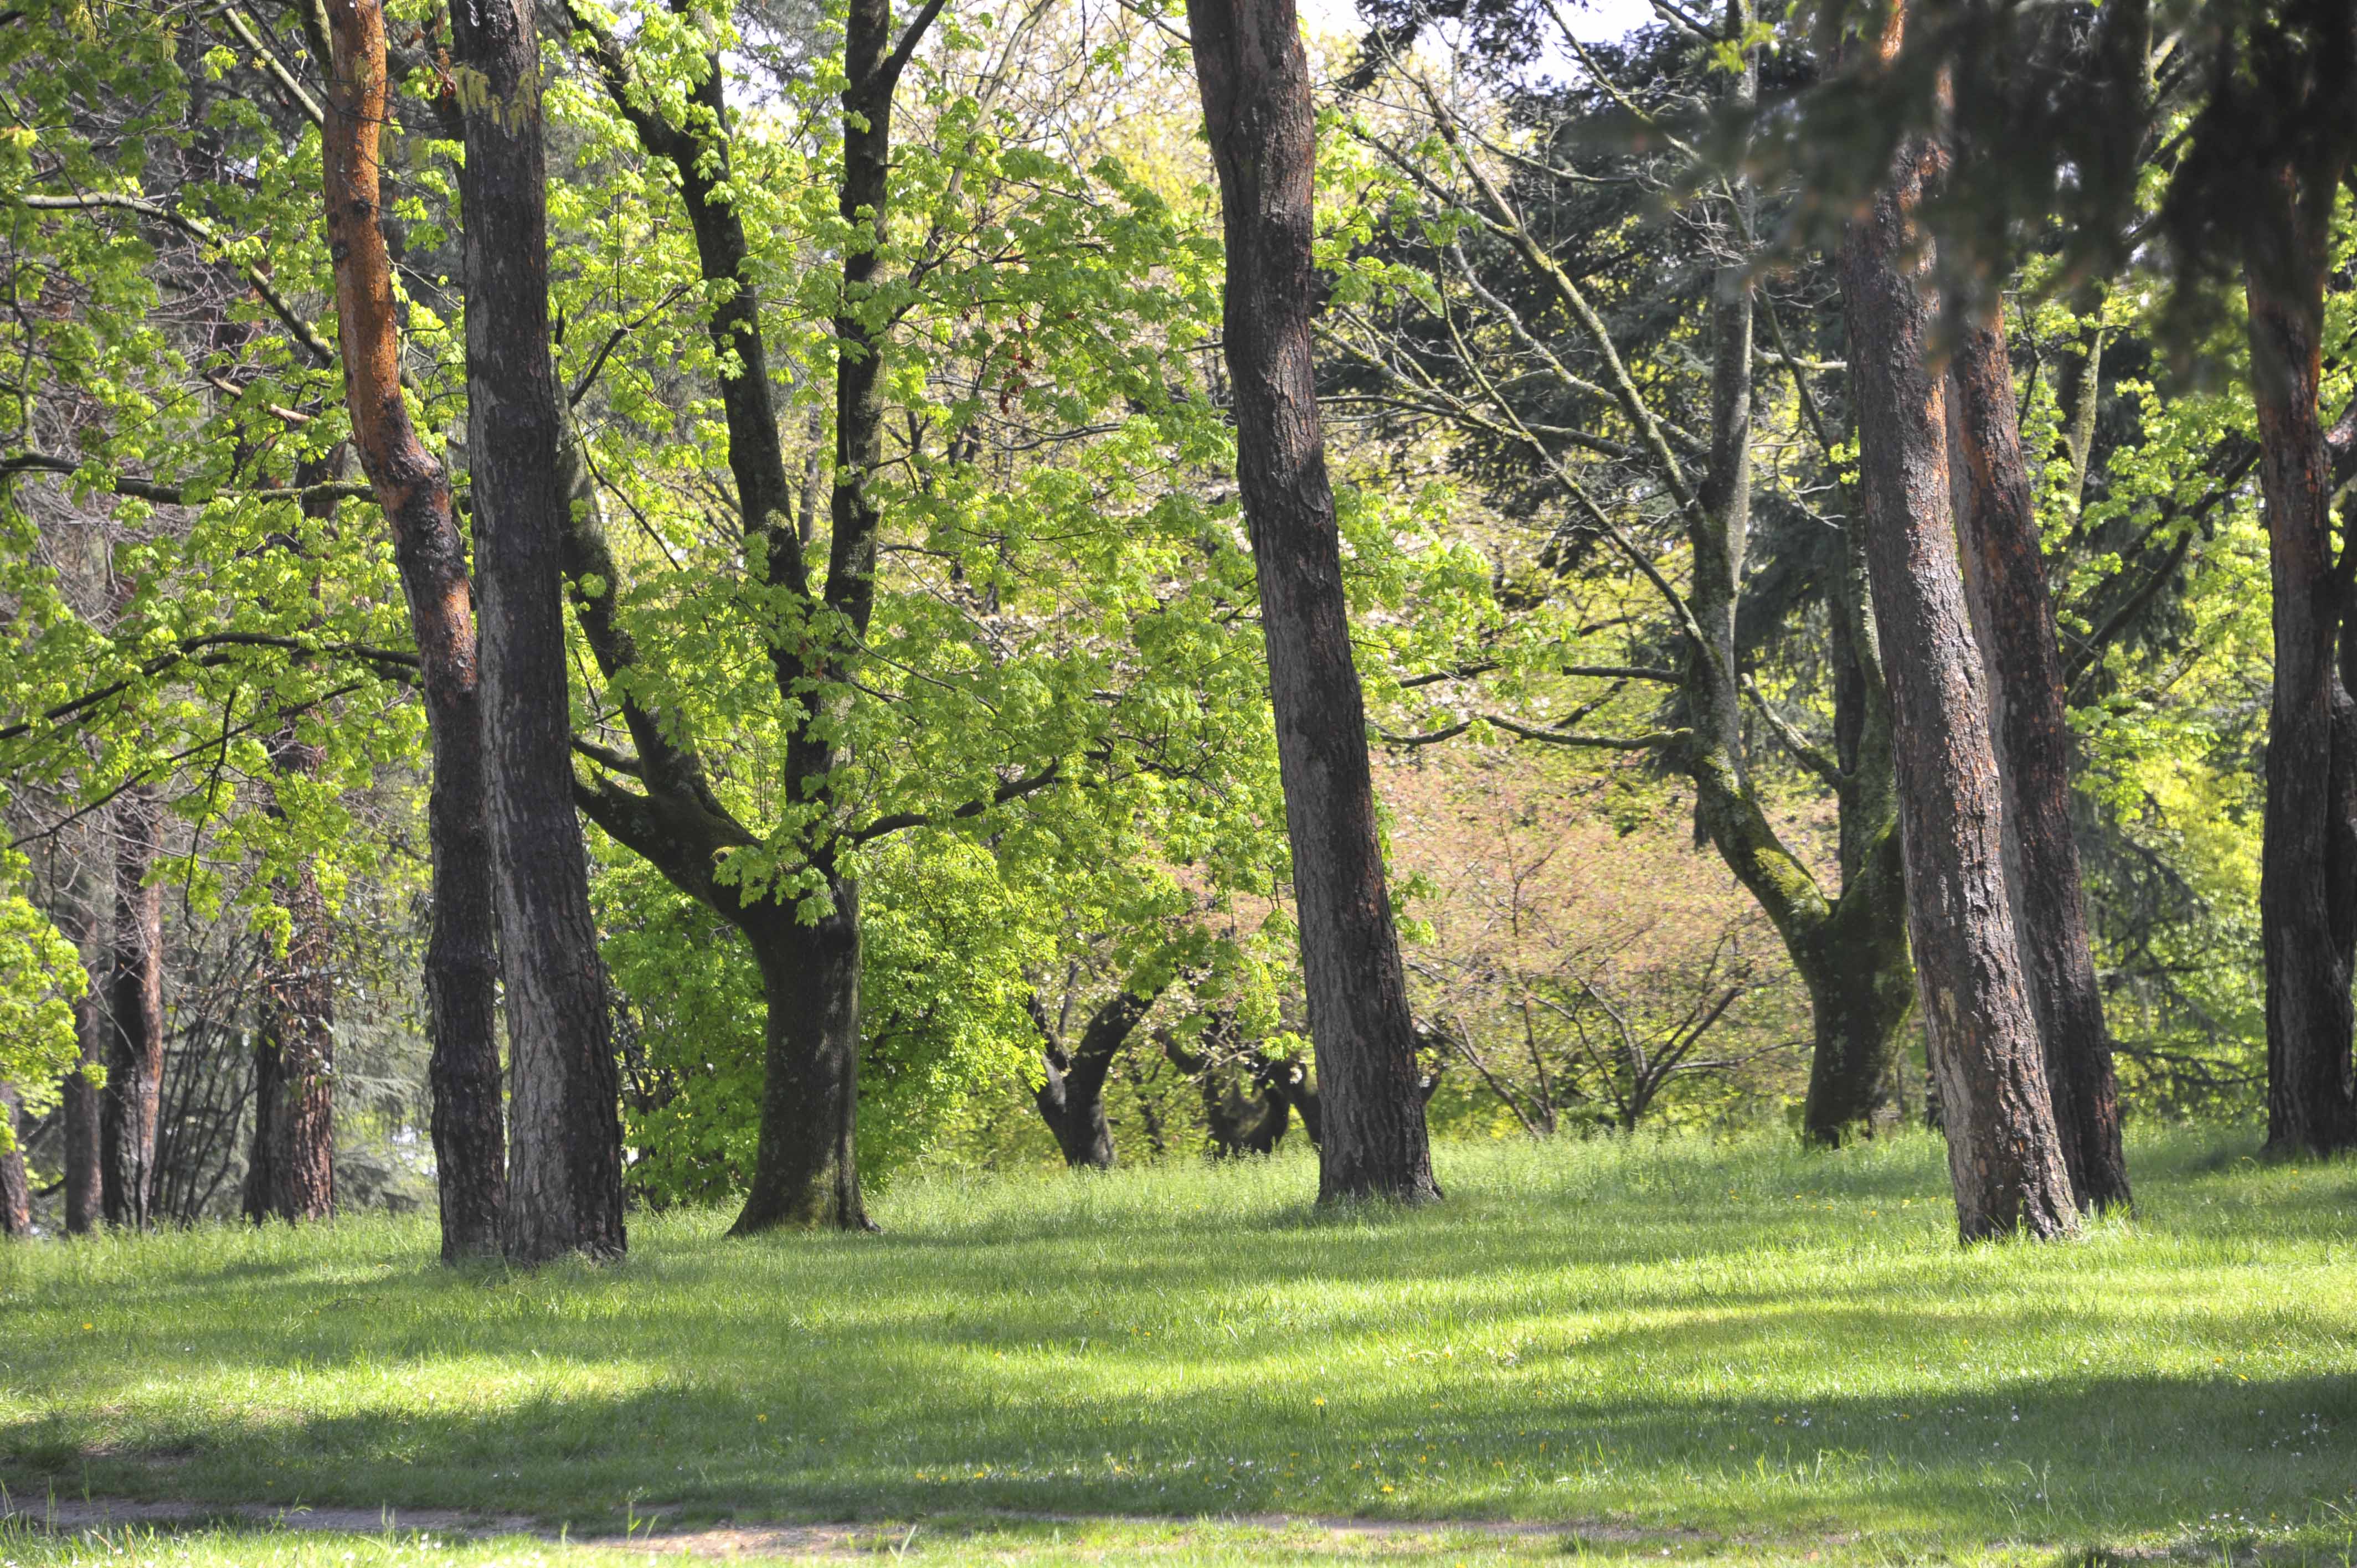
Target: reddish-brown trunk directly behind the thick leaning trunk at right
{"x":2014,"y":619}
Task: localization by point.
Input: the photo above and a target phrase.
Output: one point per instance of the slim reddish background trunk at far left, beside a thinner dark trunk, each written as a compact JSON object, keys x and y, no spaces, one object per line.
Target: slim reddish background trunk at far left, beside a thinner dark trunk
{"x":136,"y":1015}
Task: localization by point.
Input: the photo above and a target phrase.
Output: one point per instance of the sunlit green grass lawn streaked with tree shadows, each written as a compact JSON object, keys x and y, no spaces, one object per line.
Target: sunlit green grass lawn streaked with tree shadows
{"x":1679,"y":1348}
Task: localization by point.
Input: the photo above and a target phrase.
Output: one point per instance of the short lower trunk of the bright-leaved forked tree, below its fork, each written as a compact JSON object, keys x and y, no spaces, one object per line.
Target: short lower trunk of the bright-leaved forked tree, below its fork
{"x":805,"y":1159}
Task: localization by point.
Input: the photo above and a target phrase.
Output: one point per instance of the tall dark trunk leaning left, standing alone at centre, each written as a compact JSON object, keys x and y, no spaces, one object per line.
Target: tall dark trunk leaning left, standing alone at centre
{"x":1257,"y":107}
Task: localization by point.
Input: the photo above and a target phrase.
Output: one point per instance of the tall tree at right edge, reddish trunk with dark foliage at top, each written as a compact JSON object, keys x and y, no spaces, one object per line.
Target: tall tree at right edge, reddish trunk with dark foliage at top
{"x":2271,"y":154}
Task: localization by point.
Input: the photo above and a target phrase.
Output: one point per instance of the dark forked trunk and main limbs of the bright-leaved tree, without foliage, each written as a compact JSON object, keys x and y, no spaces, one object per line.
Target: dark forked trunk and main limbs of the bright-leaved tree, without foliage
{"x":805,"y":1159}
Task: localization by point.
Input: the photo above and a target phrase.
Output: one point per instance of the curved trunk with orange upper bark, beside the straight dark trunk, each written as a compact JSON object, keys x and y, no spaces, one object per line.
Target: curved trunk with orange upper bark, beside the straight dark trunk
{"x":433,"y":558}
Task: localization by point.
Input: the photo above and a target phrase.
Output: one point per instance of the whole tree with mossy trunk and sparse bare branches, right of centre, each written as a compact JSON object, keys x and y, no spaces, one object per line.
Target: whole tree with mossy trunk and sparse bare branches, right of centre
{"x":1602,"y":357}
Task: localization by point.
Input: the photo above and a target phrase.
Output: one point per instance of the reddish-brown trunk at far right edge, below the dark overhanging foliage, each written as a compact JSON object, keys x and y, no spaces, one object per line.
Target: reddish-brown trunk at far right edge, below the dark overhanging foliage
{"x":2306,"y":876}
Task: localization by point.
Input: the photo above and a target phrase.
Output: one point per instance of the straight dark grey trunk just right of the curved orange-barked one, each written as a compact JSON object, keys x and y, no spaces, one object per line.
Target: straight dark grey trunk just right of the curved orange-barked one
{"x":565,"y":1175}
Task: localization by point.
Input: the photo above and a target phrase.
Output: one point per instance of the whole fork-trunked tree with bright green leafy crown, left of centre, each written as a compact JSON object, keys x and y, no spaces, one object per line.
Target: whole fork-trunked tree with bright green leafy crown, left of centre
{"x":1015,"y":626}
